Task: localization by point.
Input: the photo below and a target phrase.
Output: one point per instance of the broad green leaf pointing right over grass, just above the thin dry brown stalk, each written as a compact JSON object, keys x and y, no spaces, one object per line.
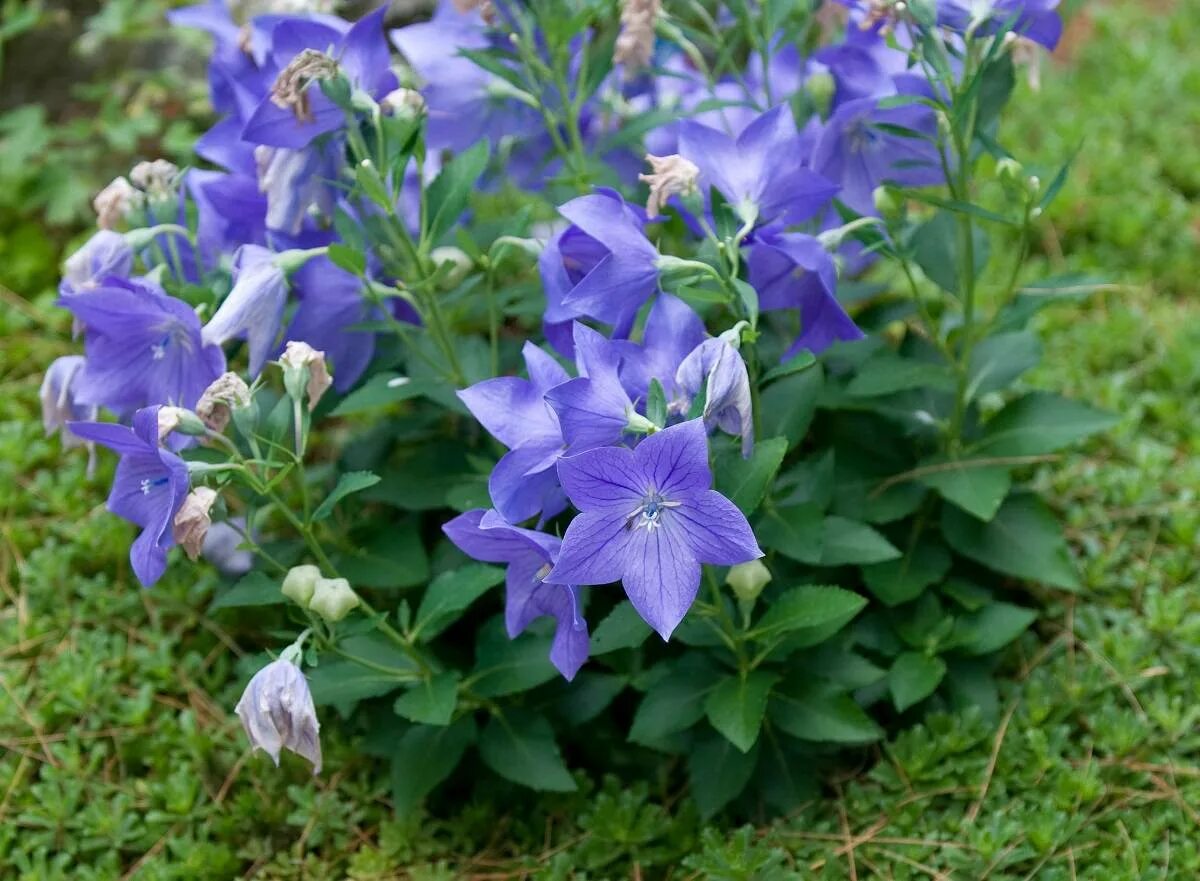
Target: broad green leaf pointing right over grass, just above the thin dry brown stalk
{"x":1041,"y":423}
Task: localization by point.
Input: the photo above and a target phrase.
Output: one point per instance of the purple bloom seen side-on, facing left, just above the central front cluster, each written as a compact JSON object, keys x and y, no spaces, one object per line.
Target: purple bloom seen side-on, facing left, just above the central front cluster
{"x":627,"y":273}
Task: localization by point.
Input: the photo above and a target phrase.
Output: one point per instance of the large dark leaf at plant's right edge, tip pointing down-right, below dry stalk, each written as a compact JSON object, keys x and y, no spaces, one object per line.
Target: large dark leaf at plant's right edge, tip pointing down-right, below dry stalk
{"x":1024,"y":540}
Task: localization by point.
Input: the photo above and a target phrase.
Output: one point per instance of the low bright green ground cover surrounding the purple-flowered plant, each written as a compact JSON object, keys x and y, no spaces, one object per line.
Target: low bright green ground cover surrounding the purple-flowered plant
{"x":121,"y":758}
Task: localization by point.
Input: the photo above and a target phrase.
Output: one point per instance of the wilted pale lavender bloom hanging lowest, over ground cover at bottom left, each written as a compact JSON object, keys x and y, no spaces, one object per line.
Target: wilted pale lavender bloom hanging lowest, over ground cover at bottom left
{"x":278,"y":712}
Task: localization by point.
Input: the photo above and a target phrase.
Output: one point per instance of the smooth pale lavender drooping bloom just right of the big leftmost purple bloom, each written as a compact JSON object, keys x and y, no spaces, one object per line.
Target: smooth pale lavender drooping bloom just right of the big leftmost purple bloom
{"x":254,"y":309}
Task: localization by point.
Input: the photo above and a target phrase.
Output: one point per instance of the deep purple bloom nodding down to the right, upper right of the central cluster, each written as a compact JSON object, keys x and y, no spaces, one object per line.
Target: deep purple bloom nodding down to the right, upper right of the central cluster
{"x":793,"y":271}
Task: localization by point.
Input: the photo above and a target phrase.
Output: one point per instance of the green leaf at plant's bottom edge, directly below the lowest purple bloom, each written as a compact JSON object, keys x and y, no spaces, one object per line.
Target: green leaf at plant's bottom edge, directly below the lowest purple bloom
{"x":520,"y":747}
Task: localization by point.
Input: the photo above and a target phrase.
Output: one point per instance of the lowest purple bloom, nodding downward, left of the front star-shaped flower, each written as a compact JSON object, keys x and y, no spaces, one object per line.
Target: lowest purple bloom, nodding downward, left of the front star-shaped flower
{"x":530,"y":556}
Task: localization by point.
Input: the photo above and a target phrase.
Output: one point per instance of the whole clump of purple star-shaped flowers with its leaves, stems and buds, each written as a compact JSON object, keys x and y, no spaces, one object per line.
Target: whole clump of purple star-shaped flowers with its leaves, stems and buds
{"x":699,"y":329}
